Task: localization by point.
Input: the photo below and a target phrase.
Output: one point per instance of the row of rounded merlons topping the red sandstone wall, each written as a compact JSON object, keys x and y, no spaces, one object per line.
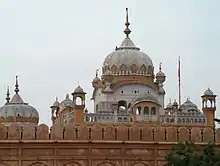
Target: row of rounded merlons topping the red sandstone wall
{"x":109,"y":133}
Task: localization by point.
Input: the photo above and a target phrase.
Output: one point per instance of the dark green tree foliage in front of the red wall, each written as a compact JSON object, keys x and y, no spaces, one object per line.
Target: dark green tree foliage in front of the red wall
{"x":188,"y":154}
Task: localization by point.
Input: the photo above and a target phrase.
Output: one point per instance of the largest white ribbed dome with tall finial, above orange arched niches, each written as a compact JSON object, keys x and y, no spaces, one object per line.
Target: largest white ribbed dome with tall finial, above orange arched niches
{"x":128,"y":59}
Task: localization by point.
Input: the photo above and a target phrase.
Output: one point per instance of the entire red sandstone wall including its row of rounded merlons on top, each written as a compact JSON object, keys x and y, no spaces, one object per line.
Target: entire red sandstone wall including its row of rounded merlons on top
{"x":93,"y":145}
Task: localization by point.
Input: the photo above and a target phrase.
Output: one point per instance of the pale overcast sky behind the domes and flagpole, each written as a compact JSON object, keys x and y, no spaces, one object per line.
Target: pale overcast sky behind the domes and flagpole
{"x":52,"y":45}
